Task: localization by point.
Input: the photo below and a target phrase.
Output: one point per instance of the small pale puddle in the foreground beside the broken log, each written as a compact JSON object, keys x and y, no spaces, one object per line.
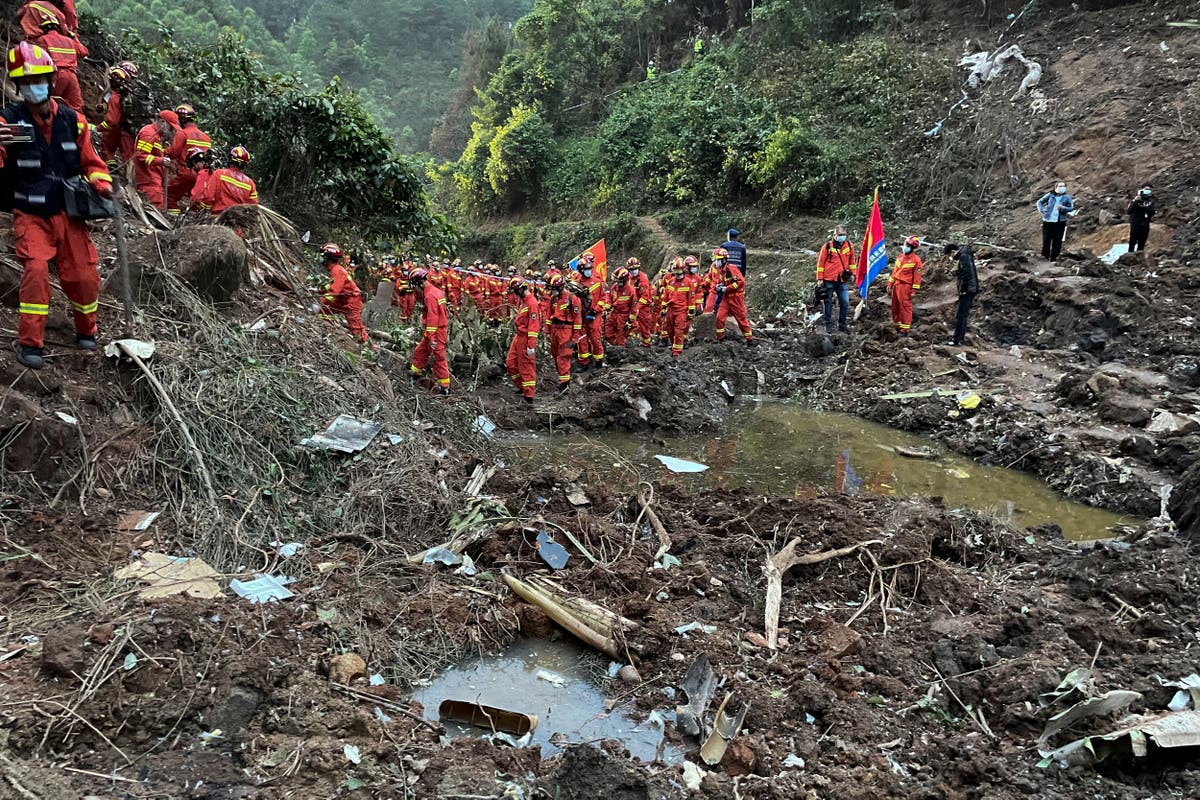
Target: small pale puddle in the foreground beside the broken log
{"x":573,"y":712}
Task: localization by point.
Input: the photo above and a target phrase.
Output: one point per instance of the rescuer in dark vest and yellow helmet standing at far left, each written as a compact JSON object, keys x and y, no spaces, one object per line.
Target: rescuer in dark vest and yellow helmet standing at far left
{"x":34,"y":172}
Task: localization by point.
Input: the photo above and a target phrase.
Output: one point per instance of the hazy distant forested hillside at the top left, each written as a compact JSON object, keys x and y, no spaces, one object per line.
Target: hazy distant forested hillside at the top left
{"x":401,"y":55}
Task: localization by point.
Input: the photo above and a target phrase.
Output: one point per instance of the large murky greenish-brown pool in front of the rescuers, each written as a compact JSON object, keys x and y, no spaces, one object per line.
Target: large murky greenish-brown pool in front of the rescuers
{"x":785,"y":449}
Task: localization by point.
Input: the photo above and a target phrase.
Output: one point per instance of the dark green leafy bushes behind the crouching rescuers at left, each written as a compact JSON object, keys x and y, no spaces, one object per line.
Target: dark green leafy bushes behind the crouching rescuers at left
{"x":316,"y":154}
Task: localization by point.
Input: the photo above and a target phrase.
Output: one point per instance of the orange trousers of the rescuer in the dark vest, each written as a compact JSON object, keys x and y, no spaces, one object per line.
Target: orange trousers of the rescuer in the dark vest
{"x":67,"y":242}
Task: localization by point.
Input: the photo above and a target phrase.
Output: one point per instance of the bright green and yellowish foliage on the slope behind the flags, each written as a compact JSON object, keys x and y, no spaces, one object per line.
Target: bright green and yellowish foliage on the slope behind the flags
{"x":795,"y":106}
